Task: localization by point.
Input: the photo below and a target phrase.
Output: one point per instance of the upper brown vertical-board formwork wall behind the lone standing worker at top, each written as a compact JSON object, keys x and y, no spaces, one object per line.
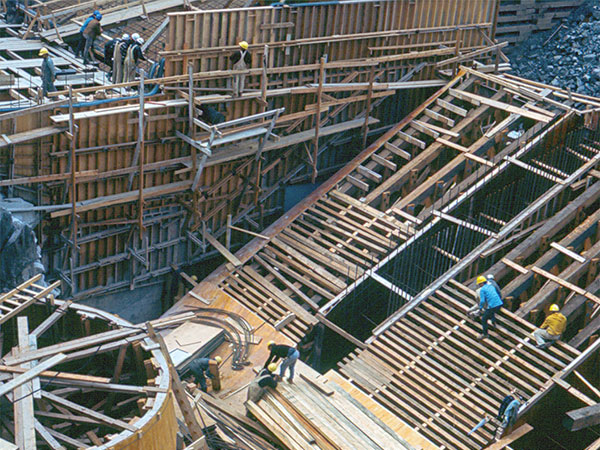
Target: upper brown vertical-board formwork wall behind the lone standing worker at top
{"x":397,"y":34}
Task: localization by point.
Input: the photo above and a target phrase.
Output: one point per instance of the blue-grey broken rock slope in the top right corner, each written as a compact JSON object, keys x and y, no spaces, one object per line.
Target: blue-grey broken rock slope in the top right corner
{"x":567,"y":56}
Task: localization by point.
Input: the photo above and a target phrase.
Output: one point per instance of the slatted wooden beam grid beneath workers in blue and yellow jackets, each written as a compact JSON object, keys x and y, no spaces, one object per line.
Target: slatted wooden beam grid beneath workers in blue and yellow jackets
{"x":418,"y":362}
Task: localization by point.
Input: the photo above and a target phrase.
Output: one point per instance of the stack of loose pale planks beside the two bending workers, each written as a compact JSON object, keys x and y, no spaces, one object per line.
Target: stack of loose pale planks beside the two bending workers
{"x":313,"y":413}
